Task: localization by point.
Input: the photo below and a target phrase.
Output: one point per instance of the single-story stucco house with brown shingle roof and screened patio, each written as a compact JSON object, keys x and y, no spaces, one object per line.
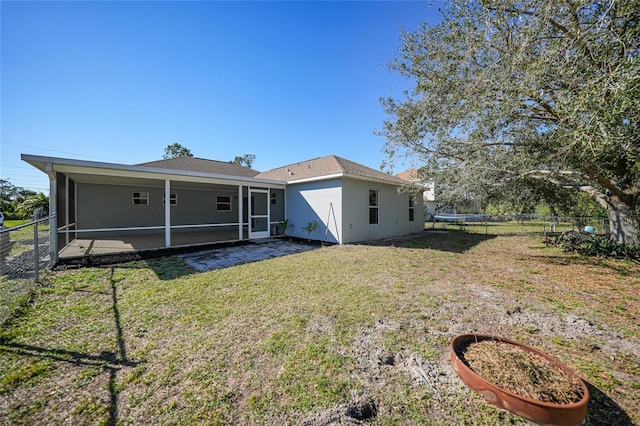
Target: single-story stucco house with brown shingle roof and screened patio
{"x":187,"y":201}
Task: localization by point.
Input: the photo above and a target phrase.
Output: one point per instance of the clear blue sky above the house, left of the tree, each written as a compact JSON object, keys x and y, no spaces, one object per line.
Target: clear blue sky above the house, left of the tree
{"x":119,"y":81}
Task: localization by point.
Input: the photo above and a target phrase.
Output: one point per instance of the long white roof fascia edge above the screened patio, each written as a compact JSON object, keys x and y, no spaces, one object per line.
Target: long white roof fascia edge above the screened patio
{"x":135,"y":171}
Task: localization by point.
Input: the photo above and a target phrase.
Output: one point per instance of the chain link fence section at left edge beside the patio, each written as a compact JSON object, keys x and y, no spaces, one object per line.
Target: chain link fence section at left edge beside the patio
{"x":25,"y":252}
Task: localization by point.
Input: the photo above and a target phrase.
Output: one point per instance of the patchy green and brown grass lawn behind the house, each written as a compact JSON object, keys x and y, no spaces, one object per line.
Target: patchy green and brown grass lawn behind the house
{"x":354,"y":333}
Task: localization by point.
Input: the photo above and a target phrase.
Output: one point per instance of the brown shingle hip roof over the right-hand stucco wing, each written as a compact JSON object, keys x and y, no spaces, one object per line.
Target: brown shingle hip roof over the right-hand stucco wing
{"x":327,"y":166}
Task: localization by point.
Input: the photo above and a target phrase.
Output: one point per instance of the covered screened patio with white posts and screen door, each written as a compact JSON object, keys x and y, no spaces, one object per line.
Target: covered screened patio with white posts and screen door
{"x":104,"y":208}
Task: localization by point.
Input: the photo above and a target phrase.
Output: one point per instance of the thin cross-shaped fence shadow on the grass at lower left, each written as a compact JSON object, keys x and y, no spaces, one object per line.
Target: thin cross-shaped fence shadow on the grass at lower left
{"x":111,"y":362}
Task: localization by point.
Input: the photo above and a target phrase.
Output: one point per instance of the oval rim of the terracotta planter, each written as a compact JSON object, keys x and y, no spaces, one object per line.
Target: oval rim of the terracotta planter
{"x":464,"y":339}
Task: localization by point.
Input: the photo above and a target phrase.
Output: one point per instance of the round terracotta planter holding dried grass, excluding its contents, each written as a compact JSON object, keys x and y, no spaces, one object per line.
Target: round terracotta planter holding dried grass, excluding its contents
{"x":542,"y":413}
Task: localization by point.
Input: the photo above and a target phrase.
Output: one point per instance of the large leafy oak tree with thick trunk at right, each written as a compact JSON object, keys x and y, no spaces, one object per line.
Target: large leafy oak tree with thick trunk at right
{"x":542,"y":92}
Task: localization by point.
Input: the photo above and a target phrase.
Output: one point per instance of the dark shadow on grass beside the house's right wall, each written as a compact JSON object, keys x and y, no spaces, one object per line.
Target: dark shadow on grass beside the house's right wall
{"x":450,"y":241}
